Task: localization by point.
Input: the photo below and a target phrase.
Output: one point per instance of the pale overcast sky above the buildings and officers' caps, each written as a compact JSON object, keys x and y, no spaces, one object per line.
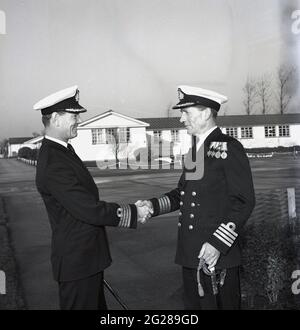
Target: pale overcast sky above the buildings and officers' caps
{"x":130,"y":55}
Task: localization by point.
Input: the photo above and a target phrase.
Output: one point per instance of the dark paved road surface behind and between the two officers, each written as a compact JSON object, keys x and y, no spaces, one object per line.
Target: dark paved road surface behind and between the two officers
{"x":143,"y":271}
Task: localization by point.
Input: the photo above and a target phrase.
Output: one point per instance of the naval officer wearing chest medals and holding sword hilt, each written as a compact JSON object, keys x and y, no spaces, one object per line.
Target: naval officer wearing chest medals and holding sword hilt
{"x":214,"y":205}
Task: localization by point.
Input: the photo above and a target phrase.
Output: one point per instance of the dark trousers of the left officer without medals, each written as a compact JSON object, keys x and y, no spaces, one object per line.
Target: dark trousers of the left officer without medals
{"x":83,"y":294}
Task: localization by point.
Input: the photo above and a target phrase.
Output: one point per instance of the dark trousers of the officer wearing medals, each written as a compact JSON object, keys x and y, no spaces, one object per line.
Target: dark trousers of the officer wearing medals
{"x":228,"y":297}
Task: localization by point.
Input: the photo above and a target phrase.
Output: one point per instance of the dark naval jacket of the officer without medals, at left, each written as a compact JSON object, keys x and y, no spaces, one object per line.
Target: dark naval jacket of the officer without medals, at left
{"x":77,"y":216}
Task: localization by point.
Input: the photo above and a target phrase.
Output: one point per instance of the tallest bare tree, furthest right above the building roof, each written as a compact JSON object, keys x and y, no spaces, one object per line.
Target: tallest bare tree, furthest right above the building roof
{"x":284,"y":76}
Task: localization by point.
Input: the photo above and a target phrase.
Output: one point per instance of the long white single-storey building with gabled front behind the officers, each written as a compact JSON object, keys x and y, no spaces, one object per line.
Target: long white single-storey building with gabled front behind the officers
{"x":100,"y":137}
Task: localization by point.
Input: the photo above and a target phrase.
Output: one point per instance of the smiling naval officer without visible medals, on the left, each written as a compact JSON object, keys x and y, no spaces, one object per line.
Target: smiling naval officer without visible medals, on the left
{"x":80,"y":250}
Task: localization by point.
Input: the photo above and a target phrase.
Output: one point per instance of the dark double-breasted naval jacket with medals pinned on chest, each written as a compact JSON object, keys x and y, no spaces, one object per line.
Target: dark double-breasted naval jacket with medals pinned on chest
{"x":215,"y":199}
